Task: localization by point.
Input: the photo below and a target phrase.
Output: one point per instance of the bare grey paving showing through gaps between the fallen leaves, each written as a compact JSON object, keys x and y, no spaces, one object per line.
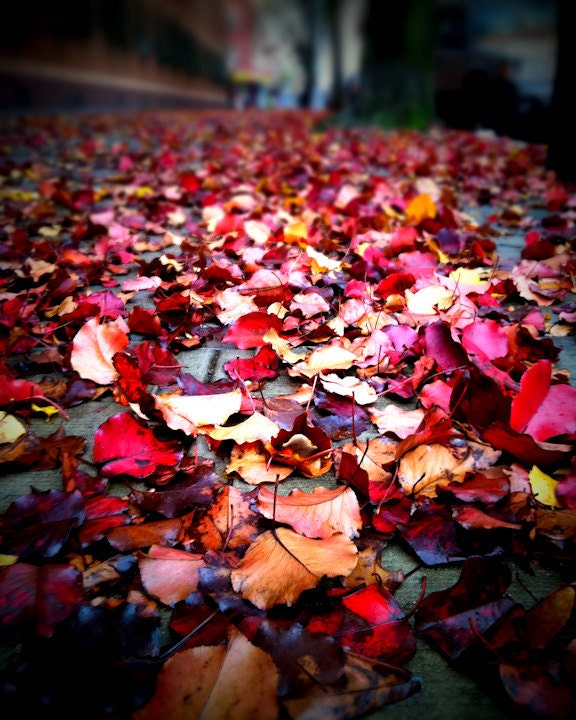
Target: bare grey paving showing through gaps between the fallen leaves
{"x":445,"y":694}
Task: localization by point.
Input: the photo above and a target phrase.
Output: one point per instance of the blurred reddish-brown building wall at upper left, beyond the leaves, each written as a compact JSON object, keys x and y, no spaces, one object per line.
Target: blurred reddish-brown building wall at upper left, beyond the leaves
{"x":97,"y":54}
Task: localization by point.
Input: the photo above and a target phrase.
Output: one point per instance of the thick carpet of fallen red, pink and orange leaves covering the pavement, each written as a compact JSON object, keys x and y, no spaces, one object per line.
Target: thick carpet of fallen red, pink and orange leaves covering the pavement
{"x":388,"y":363}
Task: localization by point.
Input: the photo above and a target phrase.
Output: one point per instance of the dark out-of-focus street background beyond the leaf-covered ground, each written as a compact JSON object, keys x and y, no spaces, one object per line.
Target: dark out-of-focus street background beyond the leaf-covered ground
{"x":461,"y":63}
